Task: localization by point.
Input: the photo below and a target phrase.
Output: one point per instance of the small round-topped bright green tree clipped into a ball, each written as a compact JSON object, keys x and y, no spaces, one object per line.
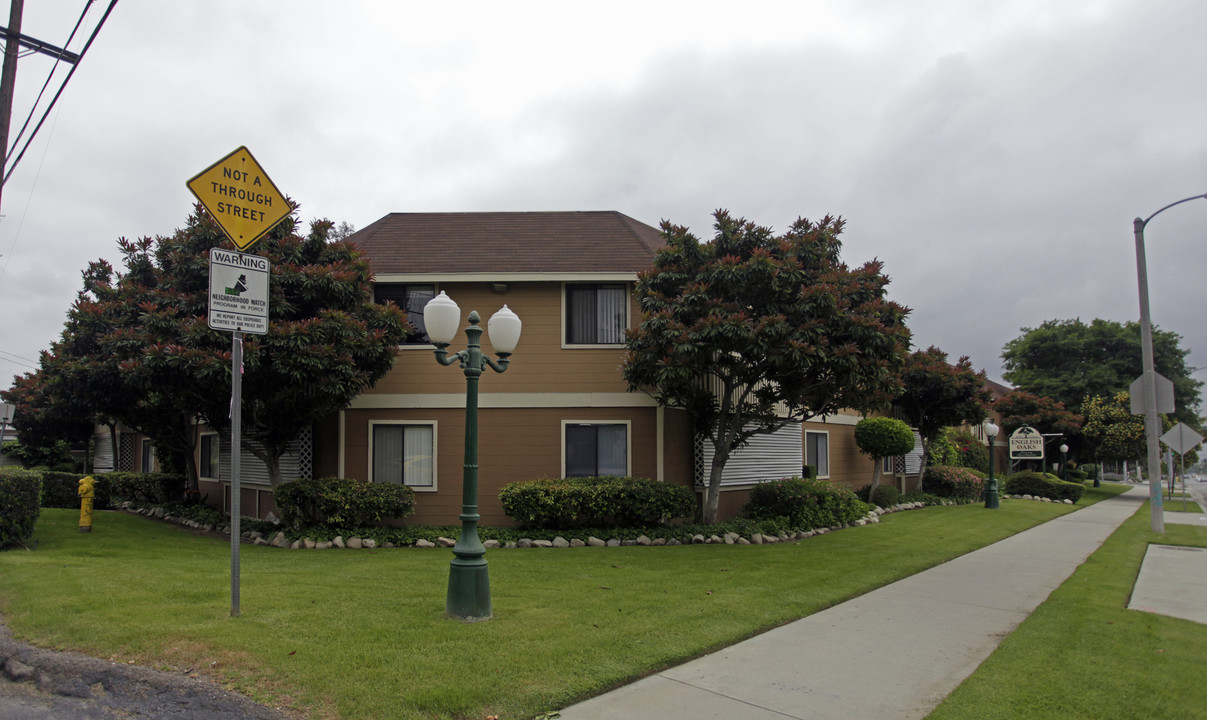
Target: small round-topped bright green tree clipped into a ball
{"x":937,"y":395}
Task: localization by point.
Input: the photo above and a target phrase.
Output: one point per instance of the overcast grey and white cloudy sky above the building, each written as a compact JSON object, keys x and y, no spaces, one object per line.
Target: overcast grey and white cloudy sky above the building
{"x":993,"y":155}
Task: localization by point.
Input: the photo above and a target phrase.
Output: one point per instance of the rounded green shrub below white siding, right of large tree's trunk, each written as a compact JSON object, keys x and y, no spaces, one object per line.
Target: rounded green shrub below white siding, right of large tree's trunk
{"x":806,"y":504}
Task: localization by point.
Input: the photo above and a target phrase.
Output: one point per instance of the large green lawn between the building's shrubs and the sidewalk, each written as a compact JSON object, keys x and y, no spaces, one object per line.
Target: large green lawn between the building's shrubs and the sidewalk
{"x":359,"y":634}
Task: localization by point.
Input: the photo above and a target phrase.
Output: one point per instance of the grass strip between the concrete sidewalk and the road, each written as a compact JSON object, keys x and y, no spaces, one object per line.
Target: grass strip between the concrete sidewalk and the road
{"x":1083,"y":655}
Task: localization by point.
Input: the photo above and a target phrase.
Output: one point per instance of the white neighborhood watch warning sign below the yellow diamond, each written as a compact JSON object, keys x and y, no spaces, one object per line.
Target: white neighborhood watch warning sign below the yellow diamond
{"x":238,"y":292}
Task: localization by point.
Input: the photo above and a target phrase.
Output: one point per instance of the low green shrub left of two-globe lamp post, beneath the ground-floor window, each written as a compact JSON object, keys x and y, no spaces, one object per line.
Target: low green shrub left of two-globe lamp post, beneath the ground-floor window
{"x":342,"y":504}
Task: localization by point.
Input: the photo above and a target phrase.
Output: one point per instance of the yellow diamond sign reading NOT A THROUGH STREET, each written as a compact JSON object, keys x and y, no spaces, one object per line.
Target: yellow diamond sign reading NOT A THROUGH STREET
{"x":241,"y":197}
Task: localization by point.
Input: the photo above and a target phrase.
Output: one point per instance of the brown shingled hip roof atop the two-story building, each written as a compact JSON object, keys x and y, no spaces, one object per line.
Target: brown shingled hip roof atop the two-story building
{"x":605,"y":242}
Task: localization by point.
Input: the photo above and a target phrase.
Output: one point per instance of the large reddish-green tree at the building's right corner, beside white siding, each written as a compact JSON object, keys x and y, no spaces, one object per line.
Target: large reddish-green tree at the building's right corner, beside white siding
{"x":754,"y":332}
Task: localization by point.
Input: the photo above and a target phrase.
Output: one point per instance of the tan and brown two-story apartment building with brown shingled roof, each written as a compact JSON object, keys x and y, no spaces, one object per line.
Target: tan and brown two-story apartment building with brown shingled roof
{"x":561,"y":409}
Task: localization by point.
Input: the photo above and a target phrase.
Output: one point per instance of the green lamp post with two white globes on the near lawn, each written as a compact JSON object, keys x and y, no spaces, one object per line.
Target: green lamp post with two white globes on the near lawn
{"x":469,"y":598}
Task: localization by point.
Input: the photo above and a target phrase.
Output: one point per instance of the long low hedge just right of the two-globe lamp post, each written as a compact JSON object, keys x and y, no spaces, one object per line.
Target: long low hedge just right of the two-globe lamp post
{"x":607,"y":502}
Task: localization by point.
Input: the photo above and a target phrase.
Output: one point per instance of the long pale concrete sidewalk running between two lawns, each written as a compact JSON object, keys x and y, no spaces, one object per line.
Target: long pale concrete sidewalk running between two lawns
{"x":891,"y":654}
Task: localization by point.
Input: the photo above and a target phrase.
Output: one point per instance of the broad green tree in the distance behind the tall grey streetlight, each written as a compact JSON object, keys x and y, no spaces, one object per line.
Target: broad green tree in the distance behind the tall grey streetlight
{"x":1071,"y":361}
